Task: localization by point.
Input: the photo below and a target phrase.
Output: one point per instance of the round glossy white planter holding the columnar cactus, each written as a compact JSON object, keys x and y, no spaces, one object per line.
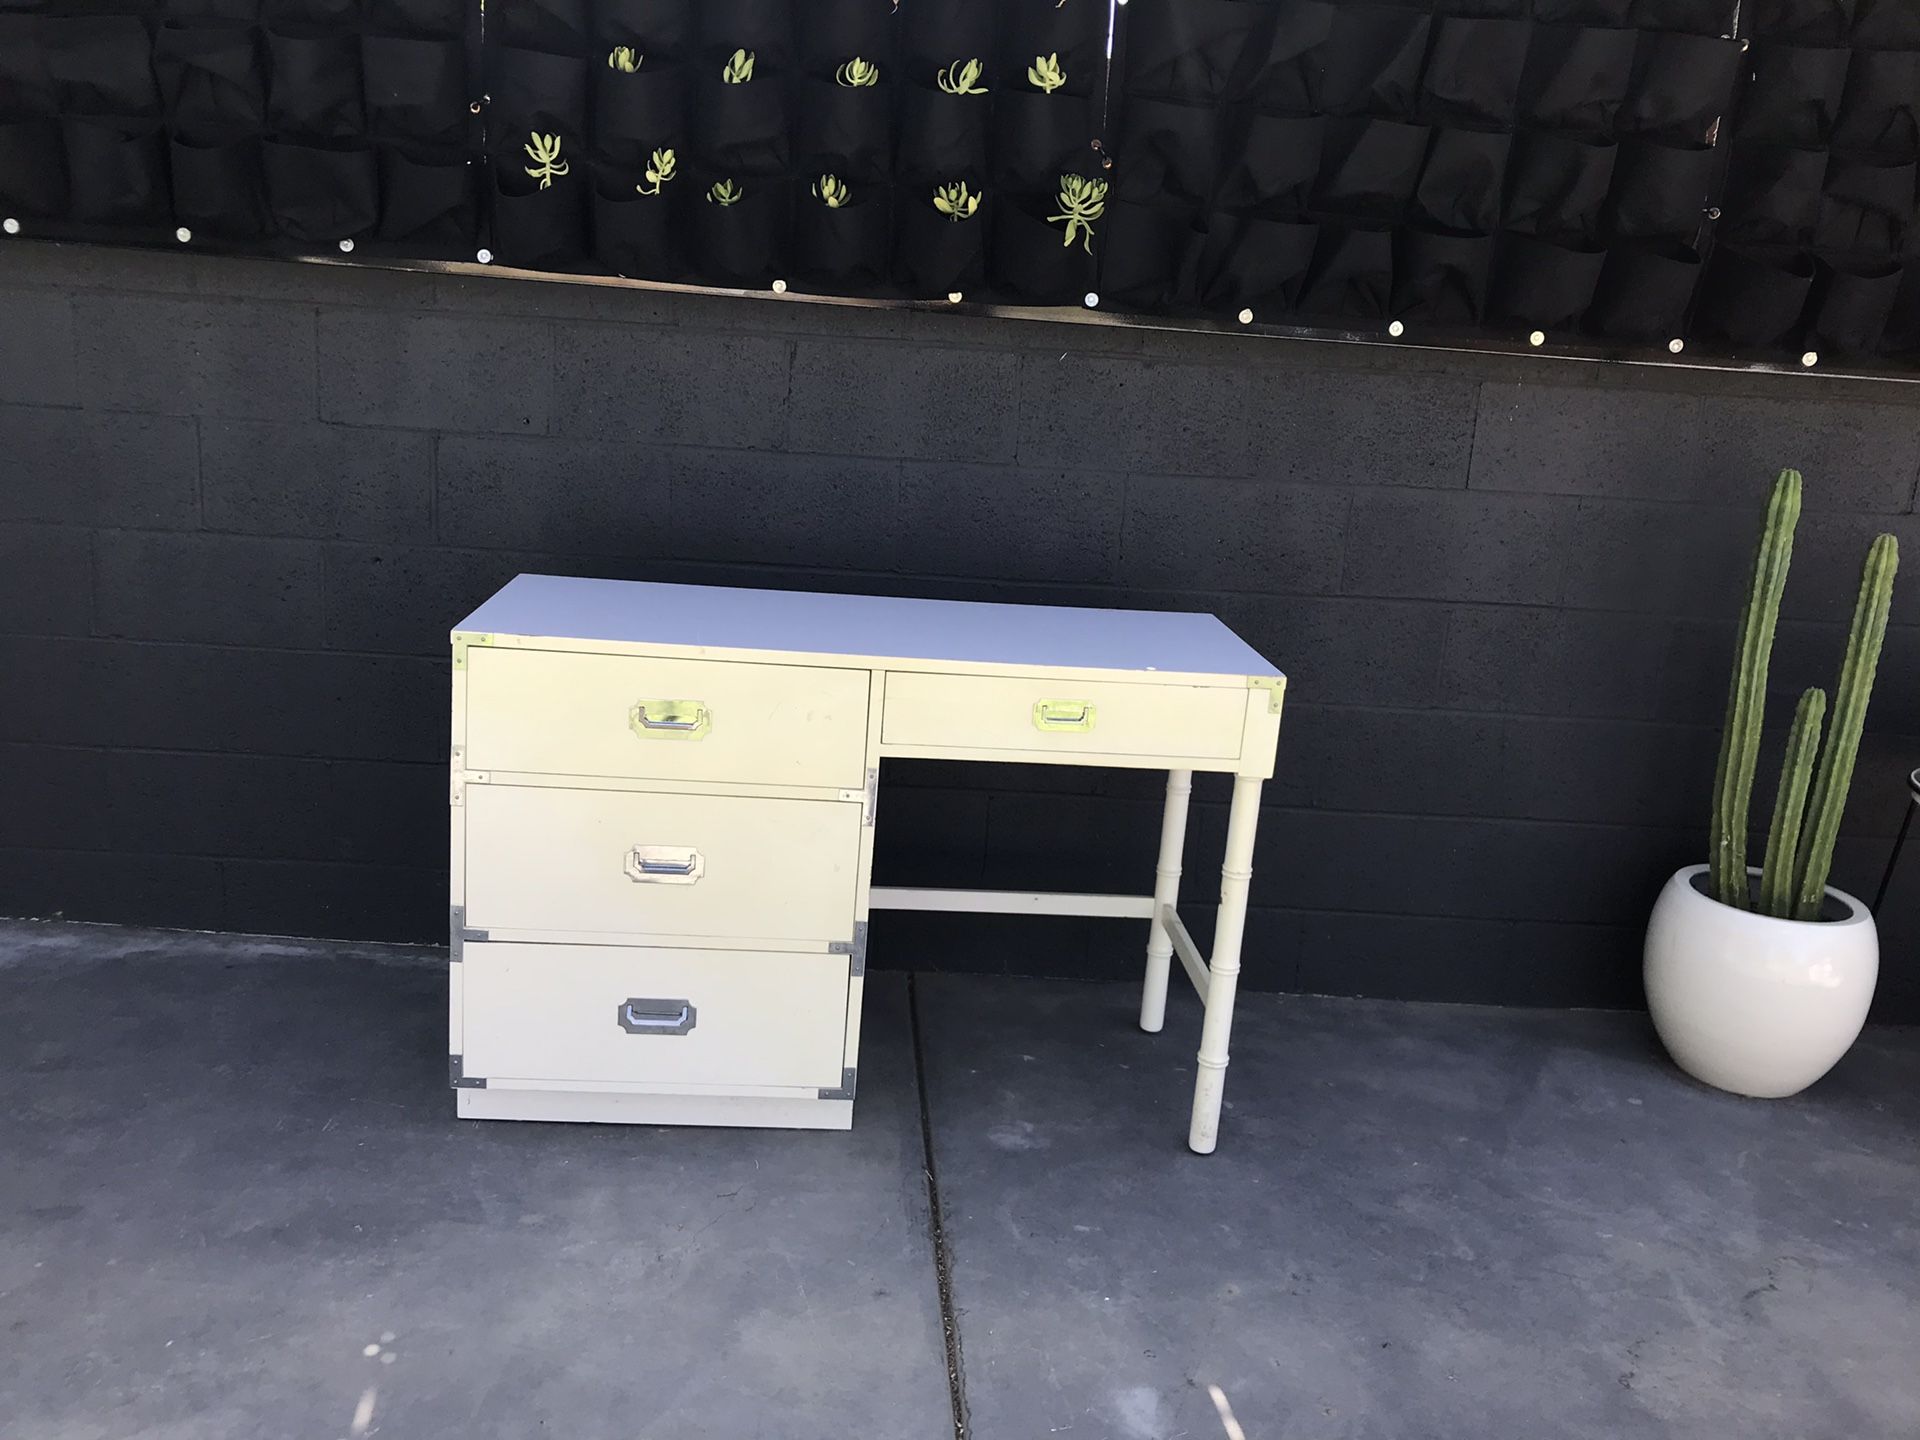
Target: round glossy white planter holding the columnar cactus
{"x":1758,"y":1005}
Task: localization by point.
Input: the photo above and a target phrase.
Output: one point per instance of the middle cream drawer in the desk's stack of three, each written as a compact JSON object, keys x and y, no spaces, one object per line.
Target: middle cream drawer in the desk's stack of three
{"x":661,"y":869}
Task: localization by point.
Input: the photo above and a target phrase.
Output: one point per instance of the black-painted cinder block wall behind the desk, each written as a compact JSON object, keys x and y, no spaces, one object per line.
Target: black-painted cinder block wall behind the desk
{"x":243,"y":502}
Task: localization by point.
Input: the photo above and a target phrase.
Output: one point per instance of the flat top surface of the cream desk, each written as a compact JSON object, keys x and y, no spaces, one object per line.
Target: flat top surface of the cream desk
{"x":869,"y":627}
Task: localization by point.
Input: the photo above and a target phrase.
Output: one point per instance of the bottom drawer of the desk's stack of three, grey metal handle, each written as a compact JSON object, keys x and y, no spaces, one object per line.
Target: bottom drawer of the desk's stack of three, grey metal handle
{"x":613,"y":1015}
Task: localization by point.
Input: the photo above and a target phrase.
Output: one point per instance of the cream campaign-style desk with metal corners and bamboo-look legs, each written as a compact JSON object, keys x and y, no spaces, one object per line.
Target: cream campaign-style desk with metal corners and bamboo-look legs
{"x":663,"y":807}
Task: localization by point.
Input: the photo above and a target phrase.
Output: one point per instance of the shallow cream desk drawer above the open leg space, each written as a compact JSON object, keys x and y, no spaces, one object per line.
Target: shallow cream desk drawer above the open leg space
{"x":1063,"y":717}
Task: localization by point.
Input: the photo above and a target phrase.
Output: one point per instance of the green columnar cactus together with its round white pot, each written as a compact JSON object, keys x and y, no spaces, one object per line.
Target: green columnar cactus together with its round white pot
{"x":1760,"y":978}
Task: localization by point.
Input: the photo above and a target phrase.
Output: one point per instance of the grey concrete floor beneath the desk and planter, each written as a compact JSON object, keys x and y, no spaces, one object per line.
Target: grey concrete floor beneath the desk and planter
{"x":231,"y":1168}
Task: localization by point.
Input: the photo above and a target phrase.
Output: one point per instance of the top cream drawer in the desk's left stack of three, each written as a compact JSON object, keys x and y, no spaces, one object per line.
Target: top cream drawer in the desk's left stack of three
{"x":564,"y":713}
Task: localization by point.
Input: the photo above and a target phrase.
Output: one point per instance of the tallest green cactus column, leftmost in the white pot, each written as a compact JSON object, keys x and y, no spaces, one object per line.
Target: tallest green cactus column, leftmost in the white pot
{"x":1740,"y":744}
